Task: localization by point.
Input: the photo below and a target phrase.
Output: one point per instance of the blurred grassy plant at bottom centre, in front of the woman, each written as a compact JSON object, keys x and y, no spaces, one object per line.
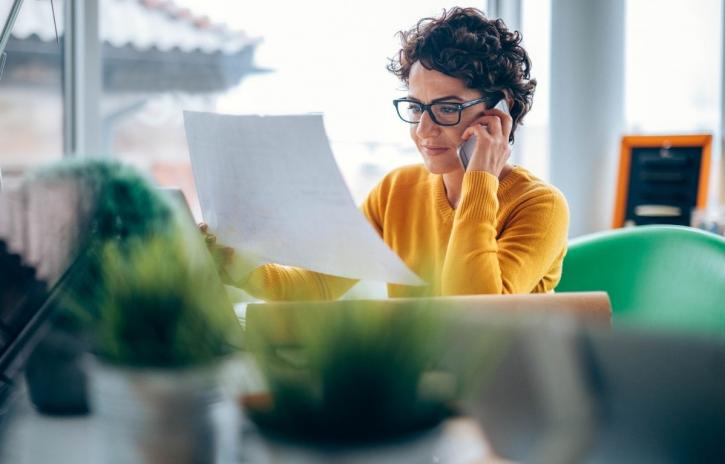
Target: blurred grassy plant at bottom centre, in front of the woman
{"x":361,"y":382}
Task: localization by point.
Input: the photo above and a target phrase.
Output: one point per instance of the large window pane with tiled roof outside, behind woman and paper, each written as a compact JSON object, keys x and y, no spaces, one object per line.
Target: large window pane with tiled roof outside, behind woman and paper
{"x":304,"y":60}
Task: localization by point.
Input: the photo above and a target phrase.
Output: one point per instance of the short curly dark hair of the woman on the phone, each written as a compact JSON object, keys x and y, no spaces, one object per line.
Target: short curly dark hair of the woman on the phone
{"x":482,"y":52}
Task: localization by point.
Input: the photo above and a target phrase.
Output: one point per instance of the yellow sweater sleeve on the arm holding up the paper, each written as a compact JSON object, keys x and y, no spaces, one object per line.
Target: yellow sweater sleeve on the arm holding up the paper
{"x":274,"y":282}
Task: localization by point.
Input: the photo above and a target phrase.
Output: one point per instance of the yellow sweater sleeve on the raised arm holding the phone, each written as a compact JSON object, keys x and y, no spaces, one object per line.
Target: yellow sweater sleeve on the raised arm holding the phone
{"x":479,"y":262}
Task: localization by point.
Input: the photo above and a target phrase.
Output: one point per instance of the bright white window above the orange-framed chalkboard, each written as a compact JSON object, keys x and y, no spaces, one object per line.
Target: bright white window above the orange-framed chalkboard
{"x":673,"y":65}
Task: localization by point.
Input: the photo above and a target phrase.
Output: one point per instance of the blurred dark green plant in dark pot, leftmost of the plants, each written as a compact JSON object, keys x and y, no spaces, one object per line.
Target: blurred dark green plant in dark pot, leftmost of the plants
{"x":112,"y":202}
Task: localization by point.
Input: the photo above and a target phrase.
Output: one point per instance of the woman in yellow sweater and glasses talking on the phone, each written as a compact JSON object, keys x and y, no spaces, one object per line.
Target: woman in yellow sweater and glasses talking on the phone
{"x":492,"y":228}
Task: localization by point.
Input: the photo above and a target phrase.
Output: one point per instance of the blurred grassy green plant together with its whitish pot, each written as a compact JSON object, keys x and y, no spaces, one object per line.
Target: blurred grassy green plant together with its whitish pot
{"x":163,"y":338}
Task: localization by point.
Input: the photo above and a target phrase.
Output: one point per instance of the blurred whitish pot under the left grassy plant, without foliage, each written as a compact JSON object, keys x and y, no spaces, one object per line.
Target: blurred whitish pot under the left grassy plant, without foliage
{"x":164,"y":416}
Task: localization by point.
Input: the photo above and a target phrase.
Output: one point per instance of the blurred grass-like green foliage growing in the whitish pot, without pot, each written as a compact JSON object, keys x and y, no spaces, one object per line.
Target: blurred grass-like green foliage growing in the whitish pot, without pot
{"x":159,"y":309}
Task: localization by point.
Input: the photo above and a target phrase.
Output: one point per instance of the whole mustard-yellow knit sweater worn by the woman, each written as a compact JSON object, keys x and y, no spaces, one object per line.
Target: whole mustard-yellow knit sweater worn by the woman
{"x":504,"y":237}
